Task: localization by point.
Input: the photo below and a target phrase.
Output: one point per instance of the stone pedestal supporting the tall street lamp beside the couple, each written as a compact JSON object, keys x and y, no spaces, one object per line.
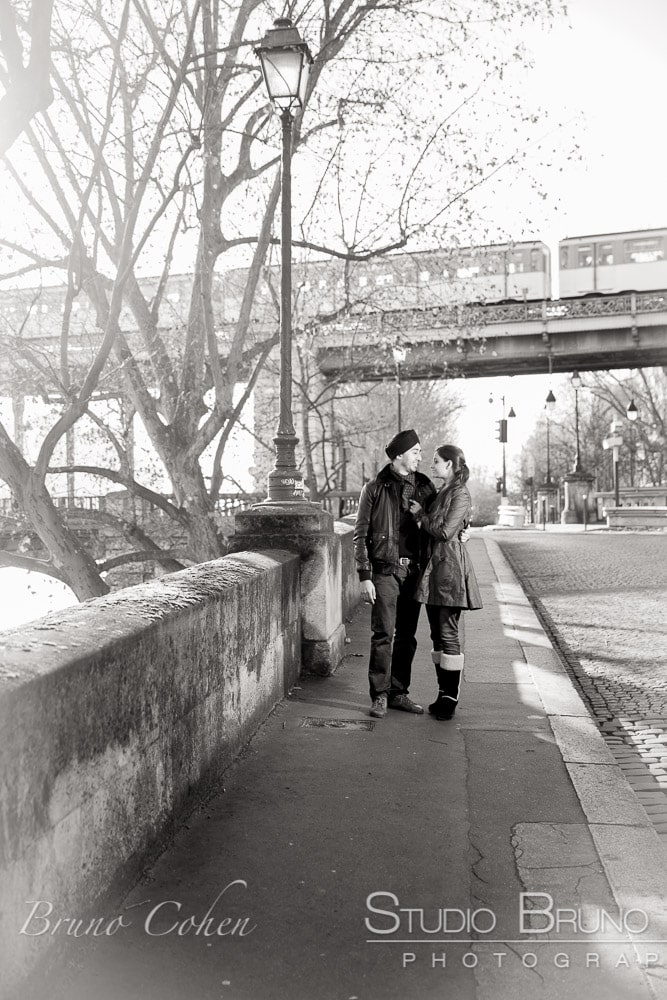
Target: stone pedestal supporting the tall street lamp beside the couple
{"x":306,"y":528}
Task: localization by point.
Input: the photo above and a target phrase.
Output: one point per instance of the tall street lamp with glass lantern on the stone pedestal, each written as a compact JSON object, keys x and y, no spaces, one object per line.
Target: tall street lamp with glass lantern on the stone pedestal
{"x":285,"y":60}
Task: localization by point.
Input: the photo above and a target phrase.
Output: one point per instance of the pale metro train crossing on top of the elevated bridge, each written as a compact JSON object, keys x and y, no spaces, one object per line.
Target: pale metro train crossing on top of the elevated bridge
{"x":599,"y":264}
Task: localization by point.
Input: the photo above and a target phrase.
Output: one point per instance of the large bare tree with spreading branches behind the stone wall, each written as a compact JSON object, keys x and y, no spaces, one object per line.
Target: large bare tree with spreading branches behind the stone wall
{"x":159,"y":155}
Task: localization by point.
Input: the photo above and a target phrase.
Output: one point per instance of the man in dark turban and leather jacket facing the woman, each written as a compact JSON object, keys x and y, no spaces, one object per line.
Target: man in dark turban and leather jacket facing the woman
{"x":386,"y":547}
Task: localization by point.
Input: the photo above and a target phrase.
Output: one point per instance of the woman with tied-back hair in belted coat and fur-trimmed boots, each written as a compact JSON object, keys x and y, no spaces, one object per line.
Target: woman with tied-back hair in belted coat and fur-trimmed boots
{"x":447,"y":585}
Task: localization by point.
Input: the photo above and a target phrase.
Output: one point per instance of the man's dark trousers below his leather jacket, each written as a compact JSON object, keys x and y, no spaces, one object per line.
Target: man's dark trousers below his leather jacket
{"x":394,"y":620}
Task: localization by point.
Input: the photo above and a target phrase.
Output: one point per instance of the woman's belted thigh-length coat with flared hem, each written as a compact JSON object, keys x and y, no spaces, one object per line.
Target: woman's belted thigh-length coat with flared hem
{"x":448,"y":577}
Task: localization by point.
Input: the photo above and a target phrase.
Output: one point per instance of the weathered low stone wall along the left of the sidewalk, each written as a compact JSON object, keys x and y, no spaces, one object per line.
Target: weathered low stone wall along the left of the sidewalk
{"x":118,"y":716}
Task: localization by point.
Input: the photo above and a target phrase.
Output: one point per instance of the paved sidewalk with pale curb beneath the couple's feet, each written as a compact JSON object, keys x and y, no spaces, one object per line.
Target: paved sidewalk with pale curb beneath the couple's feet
{"x":365,"y":859}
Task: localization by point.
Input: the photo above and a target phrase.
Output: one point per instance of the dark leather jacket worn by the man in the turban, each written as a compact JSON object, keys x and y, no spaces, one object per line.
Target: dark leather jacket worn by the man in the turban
{"x":376,"y":532}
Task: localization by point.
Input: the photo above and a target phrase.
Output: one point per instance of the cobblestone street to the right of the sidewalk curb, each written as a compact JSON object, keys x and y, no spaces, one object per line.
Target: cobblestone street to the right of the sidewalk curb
{"x":602,"y":597}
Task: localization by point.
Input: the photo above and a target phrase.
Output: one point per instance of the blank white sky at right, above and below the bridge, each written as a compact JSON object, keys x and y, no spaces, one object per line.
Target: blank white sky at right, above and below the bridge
{"x":604,"y":68}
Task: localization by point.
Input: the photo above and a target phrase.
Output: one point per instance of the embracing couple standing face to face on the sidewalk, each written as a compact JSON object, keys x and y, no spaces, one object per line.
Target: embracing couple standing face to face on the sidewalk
{"x":409,"y":551}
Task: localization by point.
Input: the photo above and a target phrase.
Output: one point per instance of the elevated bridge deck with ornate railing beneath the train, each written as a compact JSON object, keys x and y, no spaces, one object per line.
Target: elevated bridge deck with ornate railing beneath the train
{"x":627,"y":330}
